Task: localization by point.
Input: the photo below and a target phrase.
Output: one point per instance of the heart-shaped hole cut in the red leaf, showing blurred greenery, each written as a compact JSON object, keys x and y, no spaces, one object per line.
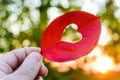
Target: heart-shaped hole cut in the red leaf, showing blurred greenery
{"x":70,"y":34}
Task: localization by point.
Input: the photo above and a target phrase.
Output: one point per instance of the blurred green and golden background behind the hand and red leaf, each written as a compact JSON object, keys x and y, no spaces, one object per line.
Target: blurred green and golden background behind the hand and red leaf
{"x":22,"y":23}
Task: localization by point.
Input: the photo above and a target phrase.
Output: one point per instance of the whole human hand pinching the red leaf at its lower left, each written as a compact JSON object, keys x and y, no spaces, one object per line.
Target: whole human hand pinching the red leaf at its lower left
{"x":22,"y":64}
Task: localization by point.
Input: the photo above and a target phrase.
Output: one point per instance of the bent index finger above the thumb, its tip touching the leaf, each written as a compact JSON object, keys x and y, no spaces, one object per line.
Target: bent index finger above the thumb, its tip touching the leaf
{"x":12,"y":59}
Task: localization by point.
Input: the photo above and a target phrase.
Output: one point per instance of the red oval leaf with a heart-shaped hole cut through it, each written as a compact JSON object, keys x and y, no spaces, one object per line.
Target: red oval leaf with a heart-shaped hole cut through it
{"x":56,"y":50}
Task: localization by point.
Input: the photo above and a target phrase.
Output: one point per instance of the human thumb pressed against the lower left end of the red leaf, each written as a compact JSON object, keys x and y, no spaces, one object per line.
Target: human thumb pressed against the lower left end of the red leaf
{"x":30,"y":67}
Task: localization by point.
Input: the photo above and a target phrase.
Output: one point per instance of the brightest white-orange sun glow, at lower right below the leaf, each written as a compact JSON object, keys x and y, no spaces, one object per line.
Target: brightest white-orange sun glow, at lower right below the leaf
{"x":98,"y":62}
